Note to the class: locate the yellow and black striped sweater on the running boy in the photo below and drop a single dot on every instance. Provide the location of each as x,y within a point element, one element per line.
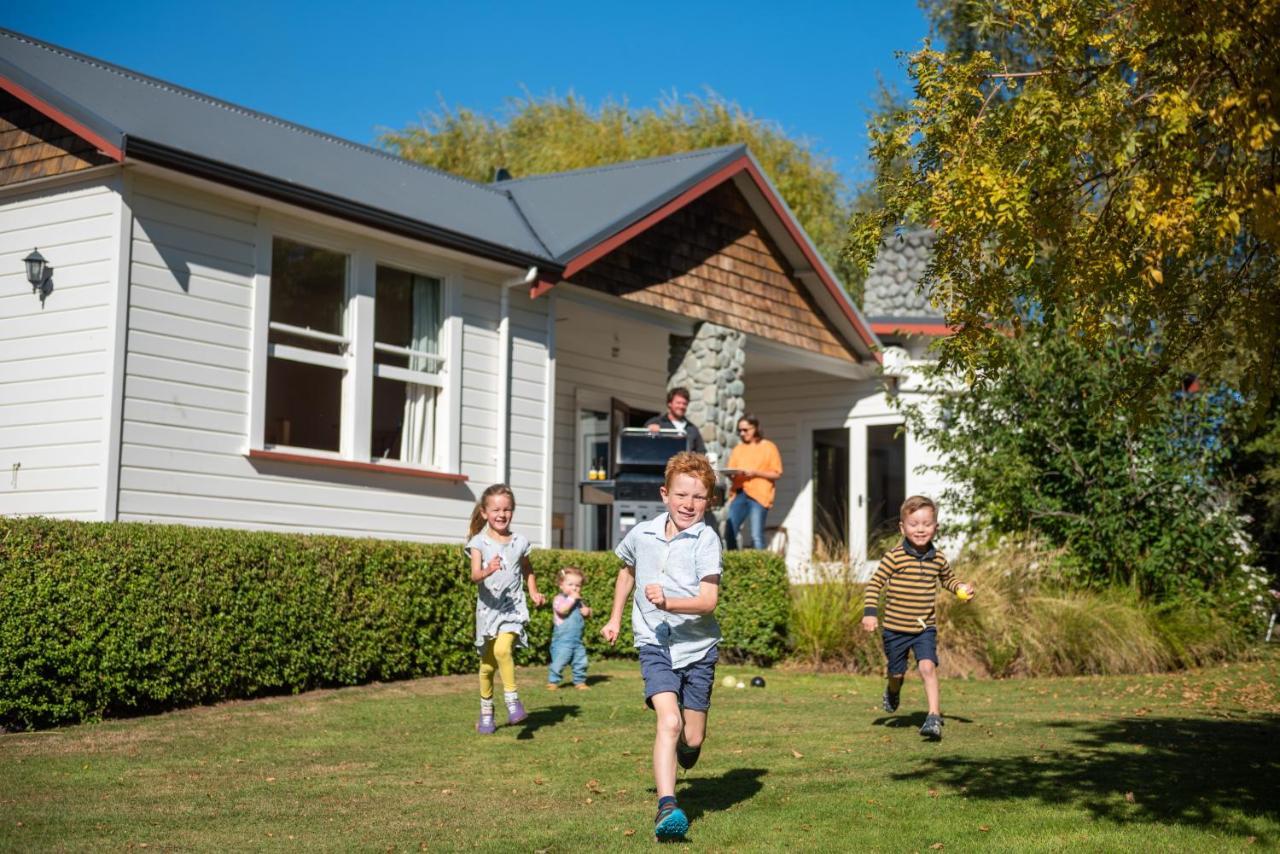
<point>911,584</point>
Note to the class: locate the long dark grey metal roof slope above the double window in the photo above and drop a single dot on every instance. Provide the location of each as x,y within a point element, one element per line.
<point>157,121</point>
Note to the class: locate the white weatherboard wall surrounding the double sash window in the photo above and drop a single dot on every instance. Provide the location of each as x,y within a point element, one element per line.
<point>188,395</point>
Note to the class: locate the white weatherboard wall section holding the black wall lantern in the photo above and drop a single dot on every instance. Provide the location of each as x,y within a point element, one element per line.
<point>56,359</point>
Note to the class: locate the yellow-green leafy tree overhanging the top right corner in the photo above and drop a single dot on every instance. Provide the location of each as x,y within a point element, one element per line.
<point>1109,165</point>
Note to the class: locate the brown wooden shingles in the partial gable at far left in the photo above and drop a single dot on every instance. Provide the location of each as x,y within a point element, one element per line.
<point>33,147</point>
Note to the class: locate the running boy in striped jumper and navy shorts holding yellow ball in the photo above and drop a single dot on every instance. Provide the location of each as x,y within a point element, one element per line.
<point>909,577</point>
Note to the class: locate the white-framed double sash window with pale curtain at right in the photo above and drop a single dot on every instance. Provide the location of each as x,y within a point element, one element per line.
<point>316,366</point>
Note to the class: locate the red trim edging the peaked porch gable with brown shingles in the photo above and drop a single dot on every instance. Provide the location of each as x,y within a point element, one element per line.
<point>697,191</point>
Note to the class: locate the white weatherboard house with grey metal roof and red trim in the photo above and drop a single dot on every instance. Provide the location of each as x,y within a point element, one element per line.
<point>253,325</point>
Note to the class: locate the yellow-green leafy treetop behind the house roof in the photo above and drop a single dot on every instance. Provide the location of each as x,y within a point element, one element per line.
<point>560,134</point>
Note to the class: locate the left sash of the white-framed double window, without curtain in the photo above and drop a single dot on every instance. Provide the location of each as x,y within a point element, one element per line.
<point>307,348</point>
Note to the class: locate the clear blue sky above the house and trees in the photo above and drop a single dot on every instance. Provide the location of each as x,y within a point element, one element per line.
<point>354,68</point>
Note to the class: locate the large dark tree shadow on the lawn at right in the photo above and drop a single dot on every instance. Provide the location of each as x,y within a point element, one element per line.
<point>1178,770</point>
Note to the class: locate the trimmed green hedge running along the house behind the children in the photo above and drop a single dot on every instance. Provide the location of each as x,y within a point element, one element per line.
<point>116,619</point>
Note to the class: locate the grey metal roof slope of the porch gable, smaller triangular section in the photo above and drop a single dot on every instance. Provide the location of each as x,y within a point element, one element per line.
<point>575,211</point>
